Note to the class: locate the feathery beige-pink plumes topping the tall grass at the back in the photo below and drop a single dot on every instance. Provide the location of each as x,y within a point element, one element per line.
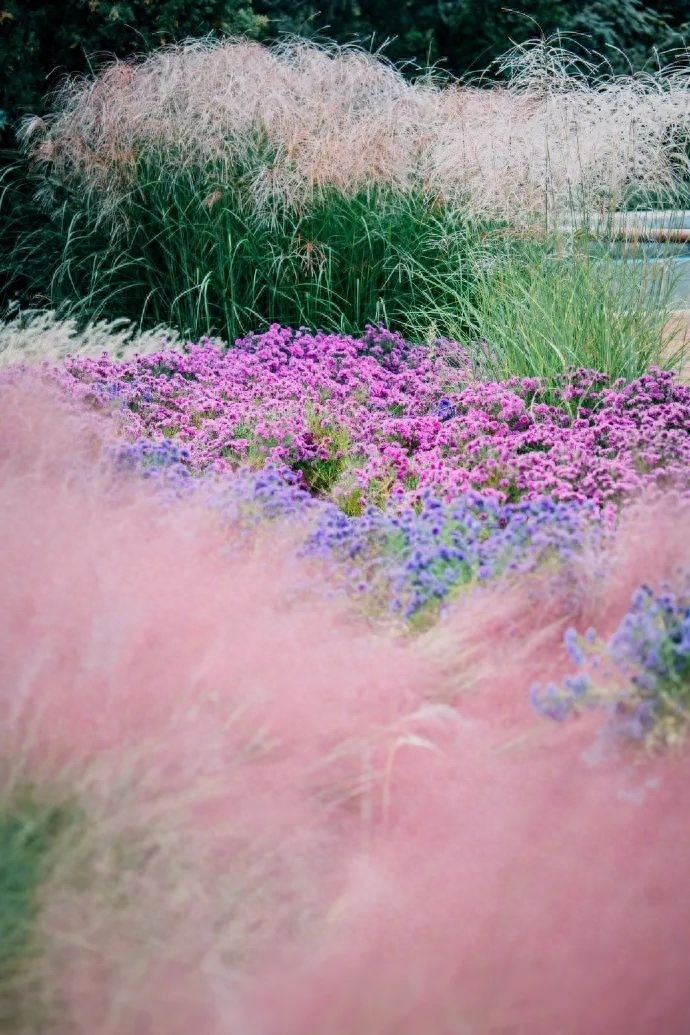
<point>301,117</point>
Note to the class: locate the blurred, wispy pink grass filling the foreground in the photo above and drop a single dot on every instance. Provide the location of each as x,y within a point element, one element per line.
<point>298,824</point>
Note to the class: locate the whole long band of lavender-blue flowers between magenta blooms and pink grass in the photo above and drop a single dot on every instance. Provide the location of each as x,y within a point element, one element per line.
<point>409,560</point>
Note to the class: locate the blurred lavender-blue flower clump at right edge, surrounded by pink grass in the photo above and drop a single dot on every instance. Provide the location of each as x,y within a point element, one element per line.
<point>641,676</point>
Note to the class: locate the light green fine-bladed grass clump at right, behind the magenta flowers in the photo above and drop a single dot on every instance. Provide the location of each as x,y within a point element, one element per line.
<point>534,313</point>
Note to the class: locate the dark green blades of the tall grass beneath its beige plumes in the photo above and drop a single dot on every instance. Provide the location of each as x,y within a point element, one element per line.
<point>189,247</point>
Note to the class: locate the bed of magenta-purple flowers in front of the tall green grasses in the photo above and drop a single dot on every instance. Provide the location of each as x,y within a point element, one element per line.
<point>372,420</point>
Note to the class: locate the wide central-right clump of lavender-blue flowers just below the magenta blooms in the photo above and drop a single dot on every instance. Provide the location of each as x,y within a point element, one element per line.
<point>416,558</point>
